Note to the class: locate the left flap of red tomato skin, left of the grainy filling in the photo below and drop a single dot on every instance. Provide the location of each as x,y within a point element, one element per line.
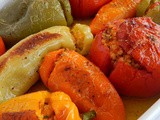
<point>99,54</point>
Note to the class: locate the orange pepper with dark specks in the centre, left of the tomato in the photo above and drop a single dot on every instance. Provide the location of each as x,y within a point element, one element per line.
<point>89,89</point>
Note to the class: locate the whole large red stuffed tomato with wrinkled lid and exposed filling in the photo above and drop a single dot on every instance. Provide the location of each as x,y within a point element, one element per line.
<point>128,51</point>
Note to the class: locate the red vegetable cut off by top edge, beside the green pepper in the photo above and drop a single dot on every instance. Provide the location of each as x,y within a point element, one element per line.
<point>86,8</point>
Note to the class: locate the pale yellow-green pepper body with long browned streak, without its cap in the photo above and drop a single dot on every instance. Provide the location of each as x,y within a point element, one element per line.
<point>19,65</point>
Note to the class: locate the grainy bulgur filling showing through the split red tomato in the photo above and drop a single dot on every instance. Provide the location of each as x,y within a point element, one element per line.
<point>116,51</point>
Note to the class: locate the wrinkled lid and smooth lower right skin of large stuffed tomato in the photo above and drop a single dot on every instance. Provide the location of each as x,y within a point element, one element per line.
<point>139,38</point>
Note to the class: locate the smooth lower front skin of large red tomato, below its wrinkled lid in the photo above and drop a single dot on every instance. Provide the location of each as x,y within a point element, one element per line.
<point>133,82</point>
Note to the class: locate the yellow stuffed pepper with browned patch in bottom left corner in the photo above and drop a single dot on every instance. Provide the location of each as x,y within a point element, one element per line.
<point>40,105</point>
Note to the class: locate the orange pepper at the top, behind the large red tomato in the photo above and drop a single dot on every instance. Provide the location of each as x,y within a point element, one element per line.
<point>116,9</point>
